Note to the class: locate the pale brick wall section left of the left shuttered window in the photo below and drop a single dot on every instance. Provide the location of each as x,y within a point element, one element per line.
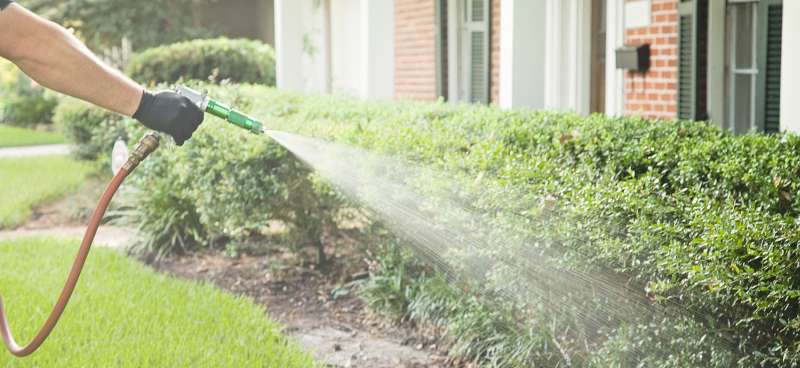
<point>415,49</point>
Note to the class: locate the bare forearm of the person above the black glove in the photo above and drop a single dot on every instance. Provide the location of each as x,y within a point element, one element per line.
<point>57,60</point>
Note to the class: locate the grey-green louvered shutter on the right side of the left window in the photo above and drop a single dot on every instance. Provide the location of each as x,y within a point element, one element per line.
<point>477,39</point>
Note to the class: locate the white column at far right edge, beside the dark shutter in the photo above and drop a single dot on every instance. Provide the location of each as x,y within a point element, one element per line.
<point>790,74</point>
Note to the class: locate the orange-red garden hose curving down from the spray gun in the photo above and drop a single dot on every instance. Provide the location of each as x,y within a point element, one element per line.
<point>147,145</point>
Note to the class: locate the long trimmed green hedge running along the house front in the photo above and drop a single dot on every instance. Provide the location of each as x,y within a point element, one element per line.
<point>697,216</point>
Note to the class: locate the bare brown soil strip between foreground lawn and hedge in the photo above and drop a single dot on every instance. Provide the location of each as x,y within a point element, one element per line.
<point>322,315</point>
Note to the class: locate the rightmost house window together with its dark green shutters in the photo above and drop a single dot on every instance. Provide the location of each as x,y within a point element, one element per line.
<point>752,53</point>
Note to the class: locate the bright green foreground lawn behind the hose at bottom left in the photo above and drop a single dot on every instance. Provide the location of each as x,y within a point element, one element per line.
<point>123,314</point>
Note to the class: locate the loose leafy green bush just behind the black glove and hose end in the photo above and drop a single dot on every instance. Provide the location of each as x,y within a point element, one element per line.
<point>224,185</point>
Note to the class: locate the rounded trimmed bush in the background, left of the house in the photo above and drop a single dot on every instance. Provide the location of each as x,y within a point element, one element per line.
<point>239,61</point>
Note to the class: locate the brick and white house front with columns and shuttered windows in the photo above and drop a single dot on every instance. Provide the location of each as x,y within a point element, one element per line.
<point>726,61</point>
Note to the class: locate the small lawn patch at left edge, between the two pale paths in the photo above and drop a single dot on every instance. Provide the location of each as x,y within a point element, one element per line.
<point>26,182</point>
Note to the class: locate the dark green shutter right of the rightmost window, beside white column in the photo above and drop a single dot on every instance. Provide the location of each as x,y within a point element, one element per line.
<point>772,67</point>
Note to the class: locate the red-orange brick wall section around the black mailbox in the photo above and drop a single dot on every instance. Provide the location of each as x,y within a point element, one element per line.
<point>654,94</point>
